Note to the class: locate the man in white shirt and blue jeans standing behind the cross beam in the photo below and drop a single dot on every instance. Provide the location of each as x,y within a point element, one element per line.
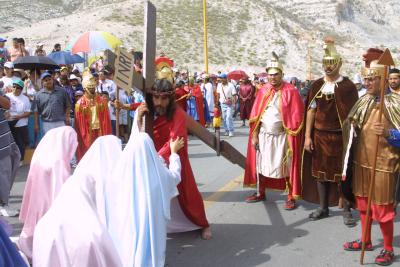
<point>227,98</point>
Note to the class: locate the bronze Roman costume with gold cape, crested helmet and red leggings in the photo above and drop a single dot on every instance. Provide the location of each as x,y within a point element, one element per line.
<point>360,141</point>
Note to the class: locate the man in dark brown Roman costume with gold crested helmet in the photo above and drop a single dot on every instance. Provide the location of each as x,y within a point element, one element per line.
<point>328,104</point>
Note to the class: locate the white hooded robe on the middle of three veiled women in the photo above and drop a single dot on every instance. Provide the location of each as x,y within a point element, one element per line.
<point>73,232</point>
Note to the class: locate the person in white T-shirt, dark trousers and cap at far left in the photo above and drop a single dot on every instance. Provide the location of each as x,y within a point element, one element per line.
<point>17,116</point>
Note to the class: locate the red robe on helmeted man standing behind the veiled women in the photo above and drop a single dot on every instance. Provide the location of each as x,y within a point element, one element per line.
<point>83,116</point>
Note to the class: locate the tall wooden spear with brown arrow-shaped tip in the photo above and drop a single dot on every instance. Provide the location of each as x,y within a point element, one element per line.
<point>386,60</point>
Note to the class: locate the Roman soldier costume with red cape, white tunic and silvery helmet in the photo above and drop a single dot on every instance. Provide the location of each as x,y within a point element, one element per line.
<point>277,119</point>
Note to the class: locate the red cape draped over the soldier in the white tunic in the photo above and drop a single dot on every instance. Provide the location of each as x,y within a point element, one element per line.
<point>292,108</point>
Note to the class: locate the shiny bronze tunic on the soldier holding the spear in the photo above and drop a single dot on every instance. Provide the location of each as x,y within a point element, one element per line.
<point>386,165</point>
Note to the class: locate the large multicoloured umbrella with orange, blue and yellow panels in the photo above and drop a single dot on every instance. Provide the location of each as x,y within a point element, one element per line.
<point>94,41</point>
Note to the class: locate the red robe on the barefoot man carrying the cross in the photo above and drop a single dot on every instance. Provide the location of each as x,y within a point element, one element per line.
<point>189,197</point>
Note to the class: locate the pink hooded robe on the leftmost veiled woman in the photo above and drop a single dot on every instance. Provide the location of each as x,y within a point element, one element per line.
<point>49,169</point>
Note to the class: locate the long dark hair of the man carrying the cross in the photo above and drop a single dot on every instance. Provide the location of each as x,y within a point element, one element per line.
<point>162,86</point>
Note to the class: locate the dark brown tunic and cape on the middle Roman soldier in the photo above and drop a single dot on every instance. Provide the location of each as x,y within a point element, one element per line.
<point>325,161</point>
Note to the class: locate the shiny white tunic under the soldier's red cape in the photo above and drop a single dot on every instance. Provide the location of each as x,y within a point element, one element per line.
<point>273,161</point>
